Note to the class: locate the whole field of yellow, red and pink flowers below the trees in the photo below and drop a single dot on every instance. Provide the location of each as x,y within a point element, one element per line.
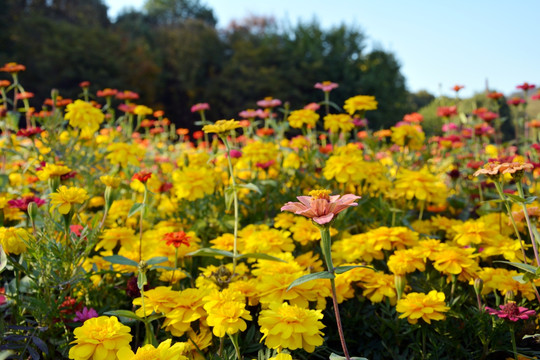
<point>284,234</point>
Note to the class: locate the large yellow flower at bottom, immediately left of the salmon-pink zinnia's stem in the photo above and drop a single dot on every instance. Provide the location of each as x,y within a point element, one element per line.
<point>291,327</point>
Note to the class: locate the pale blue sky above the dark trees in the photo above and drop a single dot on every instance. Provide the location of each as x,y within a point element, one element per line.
<point>438,43</point>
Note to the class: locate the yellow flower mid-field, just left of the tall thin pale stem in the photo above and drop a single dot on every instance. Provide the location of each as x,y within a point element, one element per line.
<point>194,182</point>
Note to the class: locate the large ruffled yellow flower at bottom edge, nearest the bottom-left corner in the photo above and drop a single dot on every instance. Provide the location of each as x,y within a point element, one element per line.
<point>100,338</point>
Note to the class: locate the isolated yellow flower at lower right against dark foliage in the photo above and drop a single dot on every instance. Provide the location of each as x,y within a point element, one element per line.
<point>427,307</point>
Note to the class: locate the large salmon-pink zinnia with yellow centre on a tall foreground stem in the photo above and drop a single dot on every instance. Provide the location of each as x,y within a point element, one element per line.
<point>320,206</point>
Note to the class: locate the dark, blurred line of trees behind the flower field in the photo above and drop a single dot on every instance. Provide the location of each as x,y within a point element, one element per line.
<point>174,56</point>
